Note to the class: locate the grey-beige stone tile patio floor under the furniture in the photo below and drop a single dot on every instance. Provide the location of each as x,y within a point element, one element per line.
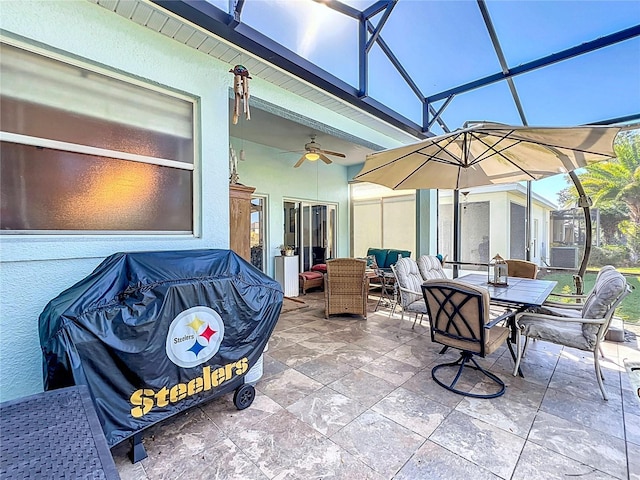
<point>346,398</point>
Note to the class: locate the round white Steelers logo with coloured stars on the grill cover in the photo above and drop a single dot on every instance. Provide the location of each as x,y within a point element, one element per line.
<point>194,336</point>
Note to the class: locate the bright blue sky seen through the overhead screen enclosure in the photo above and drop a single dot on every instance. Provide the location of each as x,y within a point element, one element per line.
<point>444,43</point>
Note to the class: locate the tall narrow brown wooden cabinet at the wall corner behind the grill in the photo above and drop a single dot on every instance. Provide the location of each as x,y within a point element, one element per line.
<point>240,220</point>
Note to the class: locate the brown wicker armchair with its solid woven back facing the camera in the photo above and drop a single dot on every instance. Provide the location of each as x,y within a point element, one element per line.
<point>346,287</point>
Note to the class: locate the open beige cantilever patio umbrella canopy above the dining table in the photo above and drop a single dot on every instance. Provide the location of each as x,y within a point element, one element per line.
<point>488,153</point>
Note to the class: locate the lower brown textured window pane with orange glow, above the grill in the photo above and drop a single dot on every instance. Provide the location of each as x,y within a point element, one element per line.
<point>44,189</point>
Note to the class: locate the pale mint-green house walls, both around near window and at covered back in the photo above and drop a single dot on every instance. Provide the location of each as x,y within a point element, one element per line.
<point>34,269</point>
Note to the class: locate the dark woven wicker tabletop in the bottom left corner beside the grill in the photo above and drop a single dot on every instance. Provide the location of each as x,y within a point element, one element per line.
<point>54,434</point>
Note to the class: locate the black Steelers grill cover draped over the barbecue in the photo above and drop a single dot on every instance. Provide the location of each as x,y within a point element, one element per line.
<point>154,333</point>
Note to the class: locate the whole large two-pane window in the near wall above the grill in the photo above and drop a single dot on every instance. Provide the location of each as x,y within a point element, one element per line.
<point>86,151</point>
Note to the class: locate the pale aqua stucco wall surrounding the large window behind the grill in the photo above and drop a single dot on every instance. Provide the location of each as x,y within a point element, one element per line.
<point>35,269</point>
